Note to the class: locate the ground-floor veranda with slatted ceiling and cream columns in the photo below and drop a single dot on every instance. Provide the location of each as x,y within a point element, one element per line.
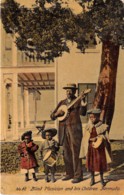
<point>23,81</point>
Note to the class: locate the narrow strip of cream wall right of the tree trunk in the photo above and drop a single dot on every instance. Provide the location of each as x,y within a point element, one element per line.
<point>117,129</point>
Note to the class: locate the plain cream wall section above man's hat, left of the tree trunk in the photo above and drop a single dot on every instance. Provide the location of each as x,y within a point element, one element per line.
<point>75,67</point>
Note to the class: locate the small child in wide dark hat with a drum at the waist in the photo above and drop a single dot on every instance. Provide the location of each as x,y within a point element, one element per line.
<point>49,146</point>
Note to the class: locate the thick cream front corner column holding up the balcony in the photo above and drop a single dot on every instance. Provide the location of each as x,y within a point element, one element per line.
<point>15,107</point>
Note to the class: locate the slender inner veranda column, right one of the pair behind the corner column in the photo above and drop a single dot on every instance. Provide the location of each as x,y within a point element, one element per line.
<point>26,105</point>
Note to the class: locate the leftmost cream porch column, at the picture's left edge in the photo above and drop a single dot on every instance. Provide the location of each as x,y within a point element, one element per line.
<point>3,109</point>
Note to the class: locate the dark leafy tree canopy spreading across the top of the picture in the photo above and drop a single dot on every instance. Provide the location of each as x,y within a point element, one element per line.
<point>45,32</point>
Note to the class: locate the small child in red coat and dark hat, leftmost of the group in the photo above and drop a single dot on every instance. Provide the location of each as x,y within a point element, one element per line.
<point>27,151</point>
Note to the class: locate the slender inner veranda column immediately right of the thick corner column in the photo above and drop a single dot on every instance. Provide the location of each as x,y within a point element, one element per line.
<point>22,107</point>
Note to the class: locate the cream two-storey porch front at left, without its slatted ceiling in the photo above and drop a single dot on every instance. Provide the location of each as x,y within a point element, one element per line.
<point>12,63</point>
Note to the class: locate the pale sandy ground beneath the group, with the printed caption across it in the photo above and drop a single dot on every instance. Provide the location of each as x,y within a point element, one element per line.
<point>114,178</point>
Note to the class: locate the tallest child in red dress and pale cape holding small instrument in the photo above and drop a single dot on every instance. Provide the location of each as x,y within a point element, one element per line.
<point>96,146</point>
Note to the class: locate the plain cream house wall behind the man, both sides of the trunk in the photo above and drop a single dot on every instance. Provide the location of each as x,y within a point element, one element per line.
<point>75,67</point>
